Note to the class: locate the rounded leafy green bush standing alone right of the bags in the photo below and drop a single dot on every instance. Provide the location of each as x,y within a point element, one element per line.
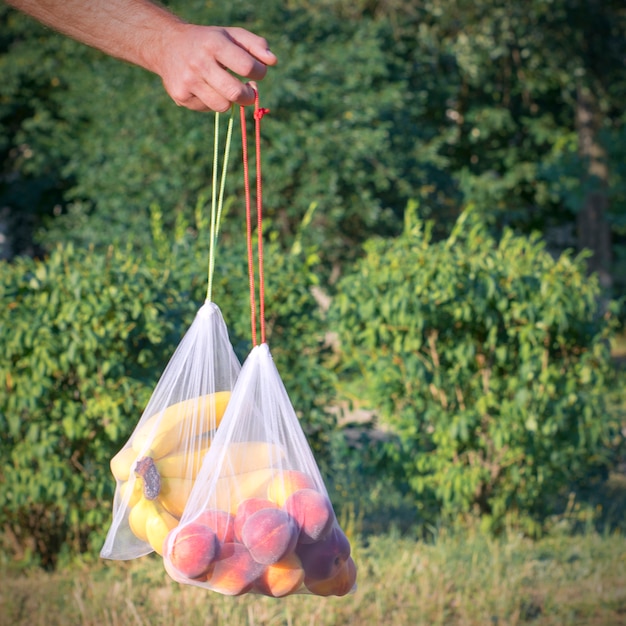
<point>490,362</point>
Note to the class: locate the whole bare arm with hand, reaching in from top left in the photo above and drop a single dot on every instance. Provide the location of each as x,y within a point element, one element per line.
<point>192,60</point>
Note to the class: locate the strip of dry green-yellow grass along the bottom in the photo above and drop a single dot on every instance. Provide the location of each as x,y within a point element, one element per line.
<point>459,580</point>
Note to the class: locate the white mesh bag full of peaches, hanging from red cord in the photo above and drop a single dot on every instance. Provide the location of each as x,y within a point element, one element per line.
<point>259,519</point>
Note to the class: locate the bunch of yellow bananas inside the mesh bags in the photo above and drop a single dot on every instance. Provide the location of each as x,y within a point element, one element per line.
<point>156,471</point>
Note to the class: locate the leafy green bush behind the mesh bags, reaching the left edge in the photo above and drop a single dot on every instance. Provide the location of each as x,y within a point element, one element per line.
<point>85,337</point>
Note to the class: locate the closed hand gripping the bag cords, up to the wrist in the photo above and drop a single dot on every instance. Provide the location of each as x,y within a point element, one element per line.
<point>194,63</point>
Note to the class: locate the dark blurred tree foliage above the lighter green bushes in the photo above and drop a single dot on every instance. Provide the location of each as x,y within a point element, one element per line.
<point>373,104</point>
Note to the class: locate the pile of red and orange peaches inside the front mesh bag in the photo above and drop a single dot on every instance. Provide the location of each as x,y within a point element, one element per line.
<point>285,540</point>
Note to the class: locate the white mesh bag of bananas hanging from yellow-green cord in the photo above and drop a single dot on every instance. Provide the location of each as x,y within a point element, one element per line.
<point>156,469</point>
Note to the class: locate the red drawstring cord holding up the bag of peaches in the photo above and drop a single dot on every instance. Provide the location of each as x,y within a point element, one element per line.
<point>258,115</point>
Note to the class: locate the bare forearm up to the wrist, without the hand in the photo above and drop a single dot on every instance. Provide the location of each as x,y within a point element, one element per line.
<point>133,30</point>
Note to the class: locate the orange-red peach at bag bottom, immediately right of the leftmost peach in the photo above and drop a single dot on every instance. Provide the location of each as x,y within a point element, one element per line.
<point>234,571</point>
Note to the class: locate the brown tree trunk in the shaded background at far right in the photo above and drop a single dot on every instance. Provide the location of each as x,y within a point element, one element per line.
<point>593,229</point>
